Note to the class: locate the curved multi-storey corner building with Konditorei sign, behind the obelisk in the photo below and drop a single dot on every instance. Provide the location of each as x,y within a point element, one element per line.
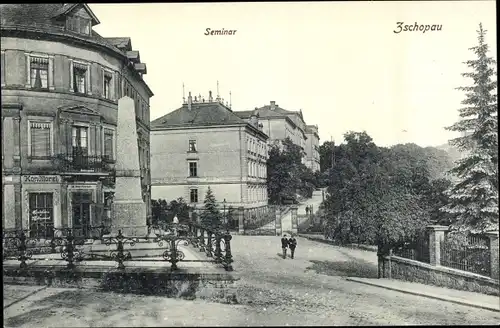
<point>60,85</point>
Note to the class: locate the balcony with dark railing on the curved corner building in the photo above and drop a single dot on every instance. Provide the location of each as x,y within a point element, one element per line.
<point>83,164</point>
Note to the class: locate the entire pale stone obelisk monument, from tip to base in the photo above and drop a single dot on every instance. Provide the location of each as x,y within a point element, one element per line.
<point>129,209</point>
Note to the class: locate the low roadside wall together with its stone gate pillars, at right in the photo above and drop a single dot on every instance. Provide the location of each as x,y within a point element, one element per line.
<point>438,272</point>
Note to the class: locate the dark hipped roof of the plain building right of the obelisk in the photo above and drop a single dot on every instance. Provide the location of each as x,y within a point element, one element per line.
<point>200,114</point>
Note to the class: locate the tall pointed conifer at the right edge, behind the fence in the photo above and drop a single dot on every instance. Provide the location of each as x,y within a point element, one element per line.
<point>474,196</point>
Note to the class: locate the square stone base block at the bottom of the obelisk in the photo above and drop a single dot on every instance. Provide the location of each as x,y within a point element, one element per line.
<point>129,217</point>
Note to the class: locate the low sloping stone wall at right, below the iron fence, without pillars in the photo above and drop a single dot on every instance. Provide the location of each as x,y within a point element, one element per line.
<point>395,267</point>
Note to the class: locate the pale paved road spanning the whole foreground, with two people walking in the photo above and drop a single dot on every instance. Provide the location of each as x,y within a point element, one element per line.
<point>308,290</point>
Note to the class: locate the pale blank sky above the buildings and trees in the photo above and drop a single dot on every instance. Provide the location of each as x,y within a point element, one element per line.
<point>339,62</point>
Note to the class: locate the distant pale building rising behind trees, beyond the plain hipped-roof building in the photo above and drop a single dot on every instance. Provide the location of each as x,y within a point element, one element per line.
<point>279,124</point>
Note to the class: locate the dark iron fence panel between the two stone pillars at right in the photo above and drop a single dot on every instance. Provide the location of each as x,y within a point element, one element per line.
<point>472,256</point>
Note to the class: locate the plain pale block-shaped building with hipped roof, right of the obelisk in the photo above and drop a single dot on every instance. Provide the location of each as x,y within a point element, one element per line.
<point>204,144</point>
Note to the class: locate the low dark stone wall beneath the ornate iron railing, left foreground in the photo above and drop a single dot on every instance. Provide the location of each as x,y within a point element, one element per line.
<point>212,286</point>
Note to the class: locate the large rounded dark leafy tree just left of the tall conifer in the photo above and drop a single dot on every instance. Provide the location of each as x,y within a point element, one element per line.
<point>380,195</point>
